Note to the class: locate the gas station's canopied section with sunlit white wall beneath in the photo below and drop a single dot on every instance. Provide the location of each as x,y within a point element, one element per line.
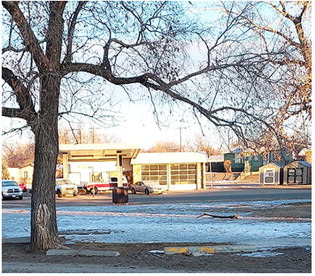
<point>87,163</point>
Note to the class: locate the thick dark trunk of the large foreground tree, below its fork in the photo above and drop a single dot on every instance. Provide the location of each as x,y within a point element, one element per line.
<point>44,231</point>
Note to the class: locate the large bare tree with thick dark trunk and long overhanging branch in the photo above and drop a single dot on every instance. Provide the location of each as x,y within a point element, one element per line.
<point>59,57</point>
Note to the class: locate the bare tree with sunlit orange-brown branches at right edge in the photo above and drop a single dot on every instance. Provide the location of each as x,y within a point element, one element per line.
<point>285,37</point>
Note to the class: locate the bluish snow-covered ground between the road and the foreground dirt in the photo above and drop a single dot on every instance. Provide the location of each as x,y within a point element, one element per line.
<point>169,223</point>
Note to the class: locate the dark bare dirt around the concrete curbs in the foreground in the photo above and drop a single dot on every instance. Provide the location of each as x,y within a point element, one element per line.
<point>137,257</point>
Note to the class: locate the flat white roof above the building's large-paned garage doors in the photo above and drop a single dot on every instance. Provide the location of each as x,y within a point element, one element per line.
<point>170,158</point>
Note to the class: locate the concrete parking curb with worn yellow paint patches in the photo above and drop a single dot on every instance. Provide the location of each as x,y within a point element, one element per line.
<point>210,249</point>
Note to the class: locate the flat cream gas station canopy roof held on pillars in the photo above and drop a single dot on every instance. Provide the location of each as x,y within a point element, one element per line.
<point>98,152</point>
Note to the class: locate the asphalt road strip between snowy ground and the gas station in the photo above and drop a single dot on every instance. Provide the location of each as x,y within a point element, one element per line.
<point>216,193</point>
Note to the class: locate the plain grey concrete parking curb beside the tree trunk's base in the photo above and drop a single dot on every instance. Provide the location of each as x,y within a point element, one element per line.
<point>85,253</point>
